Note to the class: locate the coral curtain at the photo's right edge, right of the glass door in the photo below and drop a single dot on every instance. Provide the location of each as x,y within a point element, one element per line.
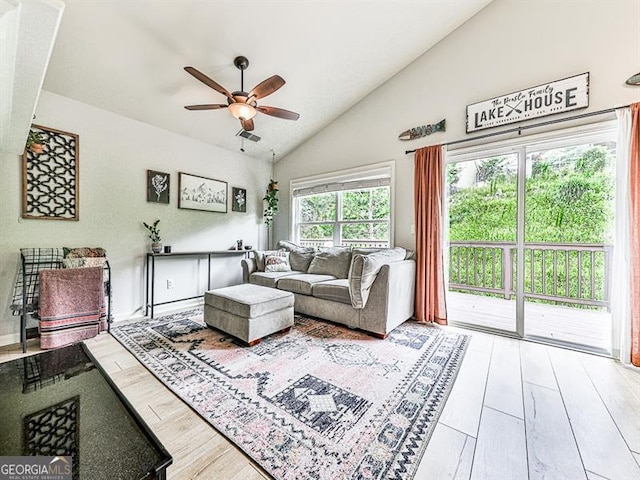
<point>634,232</point>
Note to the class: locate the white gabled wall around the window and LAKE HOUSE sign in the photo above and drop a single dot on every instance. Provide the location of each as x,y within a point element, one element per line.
<point>508,46</point>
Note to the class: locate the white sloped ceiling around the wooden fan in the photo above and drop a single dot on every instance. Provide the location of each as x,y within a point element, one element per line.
<point>128,57</point>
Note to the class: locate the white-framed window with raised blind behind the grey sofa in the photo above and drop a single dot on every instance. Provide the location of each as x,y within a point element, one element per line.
<point>344,210</point>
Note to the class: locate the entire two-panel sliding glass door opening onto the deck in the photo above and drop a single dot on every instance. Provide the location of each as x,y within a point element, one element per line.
<point>529,237</point>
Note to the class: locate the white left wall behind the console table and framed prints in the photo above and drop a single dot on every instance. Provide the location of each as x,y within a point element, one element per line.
<point>115,153</point>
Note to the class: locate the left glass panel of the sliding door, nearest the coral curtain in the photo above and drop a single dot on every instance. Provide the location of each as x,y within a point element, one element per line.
<point>483,200</point>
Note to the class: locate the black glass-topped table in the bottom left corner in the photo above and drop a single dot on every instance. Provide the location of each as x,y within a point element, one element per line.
<point>61,402</point>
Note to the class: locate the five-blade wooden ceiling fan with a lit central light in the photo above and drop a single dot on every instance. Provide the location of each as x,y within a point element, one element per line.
<point>243,105</point>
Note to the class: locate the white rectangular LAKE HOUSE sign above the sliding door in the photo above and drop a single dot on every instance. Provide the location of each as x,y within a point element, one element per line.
<point>550,98</point>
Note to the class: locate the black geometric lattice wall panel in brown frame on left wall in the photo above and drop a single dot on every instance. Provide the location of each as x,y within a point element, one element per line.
<point>50,179</point>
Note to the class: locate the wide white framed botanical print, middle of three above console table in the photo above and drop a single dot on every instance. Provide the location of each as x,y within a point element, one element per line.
<point>202,193</point>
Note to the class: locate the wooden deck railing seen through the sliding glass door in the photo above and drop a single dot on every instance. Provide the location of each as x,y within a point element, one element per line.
<point>564,273</point>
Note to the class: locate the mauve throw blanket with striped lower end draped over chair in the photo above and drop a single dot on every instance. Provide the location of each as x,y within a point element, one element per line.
<point>71,305</point>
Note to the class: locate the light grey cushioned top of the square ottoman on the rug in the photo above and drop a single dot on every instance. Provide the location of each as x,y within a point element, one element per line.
<point>248,301</point>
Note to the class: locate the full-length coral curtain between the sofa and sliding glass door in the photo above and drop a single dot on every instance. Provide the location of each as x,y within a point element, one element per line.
<point>430,291</point>
